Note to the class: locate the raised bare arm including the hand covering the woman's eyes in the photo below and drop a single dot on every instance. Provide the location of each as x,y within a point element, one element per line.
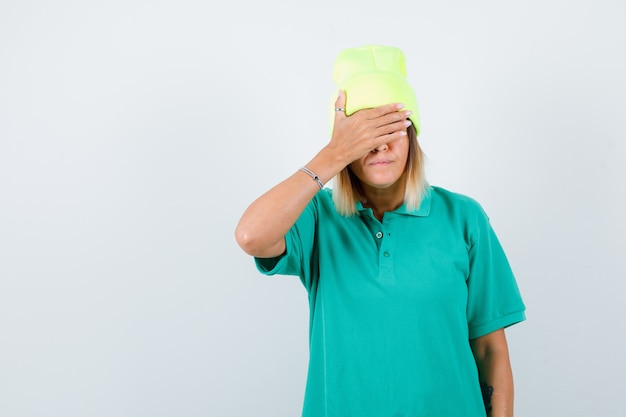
<point>262,228</point>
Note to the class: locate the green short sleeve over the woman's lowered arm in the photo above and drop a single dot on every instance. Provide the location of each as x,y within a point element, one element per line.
<point>494,299</point>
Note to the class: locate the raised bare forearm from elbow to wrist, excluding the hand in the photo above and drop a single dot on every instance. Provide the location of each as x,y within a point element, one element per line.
<point>262,228</point>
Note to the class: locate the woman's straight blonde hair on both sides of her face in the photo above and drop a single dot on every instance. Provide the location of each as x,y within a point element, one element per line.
<point>348,190</point>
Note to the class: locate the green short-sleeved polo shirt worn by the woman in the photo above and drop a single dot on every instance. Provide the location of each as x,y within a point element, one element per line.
<point>393,305</point>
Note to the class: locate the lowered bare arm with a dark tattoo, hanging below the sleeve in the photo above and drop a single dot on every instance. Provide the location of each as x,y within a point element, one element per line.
<point>496,377</point>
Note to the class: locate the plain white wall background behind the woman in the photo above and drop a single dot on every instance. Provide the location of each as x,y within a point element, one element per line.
<point>133,134</point>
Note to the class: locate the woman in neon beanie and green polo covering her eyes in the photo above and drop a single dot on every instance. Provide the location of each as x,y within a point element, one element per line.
<point>409,289</point>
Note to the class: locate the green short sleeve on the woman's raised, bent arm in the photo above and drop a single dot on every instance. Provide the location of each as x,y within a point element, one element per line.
<point>300,256</point>
